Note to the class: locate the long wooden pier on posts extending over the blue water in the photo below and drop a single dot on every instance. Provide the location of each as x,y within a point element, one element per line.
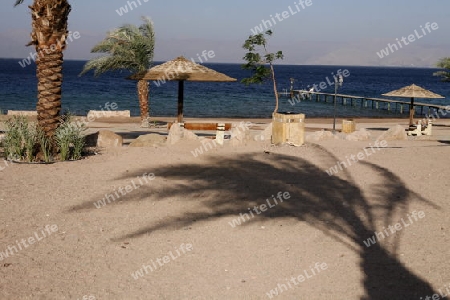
<point>363,102</point>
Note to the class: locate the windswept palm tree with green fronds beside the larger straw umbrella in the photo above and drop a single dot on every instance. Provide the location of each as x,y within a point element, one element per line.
<point>131,48</point>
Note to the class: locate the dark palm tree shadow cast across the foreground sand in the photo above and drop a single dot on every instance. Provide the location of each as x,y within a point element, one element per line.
<point>333,204</point>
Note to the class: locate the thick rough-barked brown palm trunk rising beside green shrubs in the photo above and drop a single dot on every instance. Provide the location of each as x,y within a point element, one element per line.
<point>49,33</point>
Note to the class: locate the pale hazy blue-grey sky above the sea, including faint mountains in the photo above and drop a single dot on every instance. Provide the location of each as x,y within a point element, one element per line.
<point>346,32</point>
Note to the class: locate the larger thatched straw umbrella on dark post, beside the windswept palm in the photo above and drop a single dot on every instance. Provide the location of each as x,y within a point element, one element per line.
<point>181,70</point>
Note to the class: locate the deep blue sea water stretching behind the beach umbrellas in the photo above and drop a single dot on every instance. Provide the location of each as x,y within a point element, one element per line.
<point>207,99</point>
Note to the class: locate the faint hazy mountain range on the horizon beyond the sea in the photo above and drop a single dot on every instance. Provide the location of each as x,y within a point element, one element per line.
<point>297,52</point>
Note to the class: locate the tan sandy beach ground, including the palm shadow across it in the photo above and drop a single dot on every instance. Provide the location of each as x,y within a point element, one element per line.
<point>172,230</point>
